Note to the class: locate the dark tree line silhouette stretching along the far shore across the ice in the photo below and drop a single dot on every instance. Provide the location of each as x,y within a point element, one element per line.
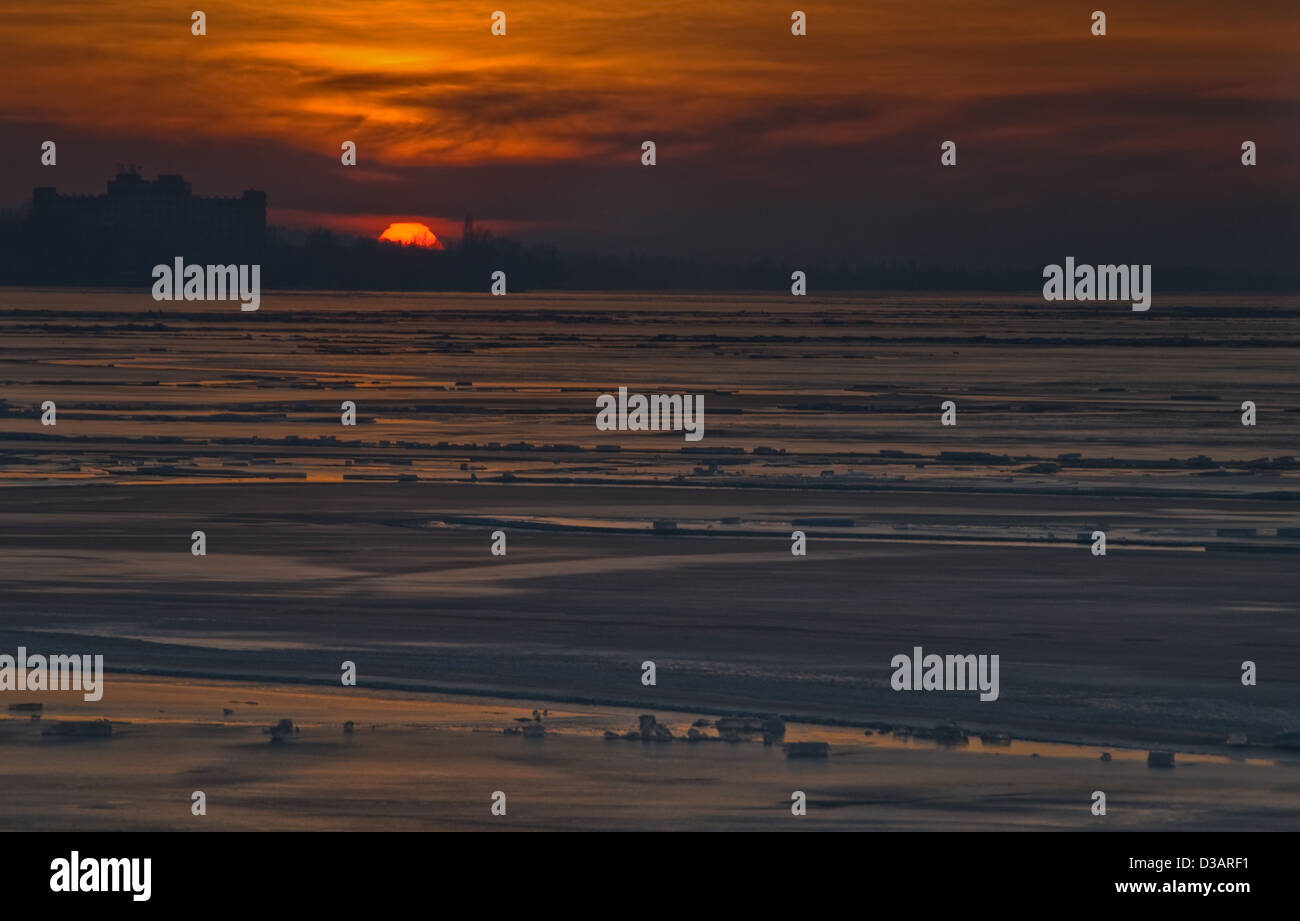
<point>331,261</point>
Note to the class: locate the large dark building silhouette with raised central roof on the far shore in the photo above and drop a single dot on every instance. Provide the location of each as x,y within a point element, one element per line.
<point>120,236</point>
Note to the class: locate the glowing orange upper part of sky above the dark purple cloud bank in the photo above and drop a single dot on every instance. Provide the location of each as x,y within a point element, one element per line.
<point>426,83</point>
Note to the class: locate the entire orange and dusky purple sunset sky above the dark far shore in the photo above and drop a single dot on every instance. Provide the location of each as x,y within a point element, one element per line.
<point>1125,148</point>
